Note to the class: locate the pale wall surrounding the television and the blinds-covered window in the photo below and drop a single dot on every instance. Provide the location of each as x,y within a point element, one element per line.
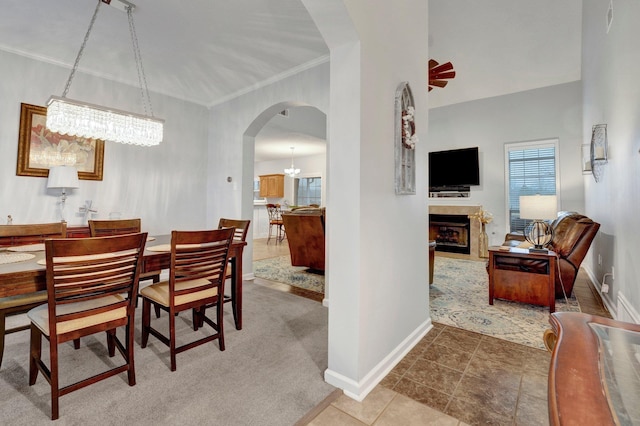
<point>549,112</point>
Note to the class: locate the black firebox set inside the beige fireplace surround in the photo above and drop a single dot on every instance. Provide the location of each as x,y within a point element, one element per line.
<point>450,232</point>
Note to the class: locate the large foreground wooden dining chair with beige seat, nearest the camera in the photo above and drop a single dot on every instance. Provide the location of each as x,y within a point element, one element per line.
<point>91,288</point>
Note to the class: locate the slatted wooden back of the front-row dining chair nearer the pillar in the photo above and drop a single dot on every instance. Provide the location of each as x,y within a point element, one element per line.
<point>199,258</point>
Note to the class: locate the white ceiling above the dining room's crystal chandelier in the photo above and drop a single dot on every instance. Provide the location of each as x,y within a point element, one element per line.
<point>203,51</point>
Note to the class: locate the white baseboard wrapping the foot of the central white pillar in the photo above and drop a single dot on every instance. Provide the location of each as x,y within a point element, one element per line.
<point>358,390</point>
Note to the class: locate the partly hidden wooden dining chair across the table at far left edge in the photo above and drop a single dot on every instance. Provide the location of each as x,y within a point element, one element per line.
<point>18,235</point>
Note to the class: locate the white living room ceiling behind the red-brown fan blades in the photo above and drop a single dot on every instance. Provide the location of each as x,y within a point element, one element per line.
<point>499,47</point>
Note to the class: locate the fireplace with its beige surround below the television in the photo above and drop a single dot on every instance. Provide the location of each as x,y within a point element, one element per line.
<point>453,231</point>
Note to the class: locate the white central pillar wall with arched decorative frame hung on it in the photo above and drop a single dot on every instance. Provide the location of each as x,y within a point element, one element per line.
<point>377,263</point>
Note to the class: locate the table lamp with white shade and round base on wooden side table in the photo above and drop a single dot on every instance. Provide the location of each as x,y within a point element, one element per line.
<point>539,208</point>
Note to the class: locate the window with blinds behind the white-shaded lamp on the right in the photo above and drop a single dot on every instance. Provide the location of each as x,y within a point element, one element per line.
<point>531,168</point>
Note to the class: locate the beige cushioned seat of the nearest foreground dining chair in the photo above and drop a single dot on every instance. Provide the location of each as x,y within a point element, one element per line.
<point>40,314</point>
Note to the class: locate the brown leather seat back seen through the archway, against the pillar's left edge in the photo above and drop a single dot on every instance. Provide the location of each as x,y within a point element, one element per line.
<point>305,232</point>
